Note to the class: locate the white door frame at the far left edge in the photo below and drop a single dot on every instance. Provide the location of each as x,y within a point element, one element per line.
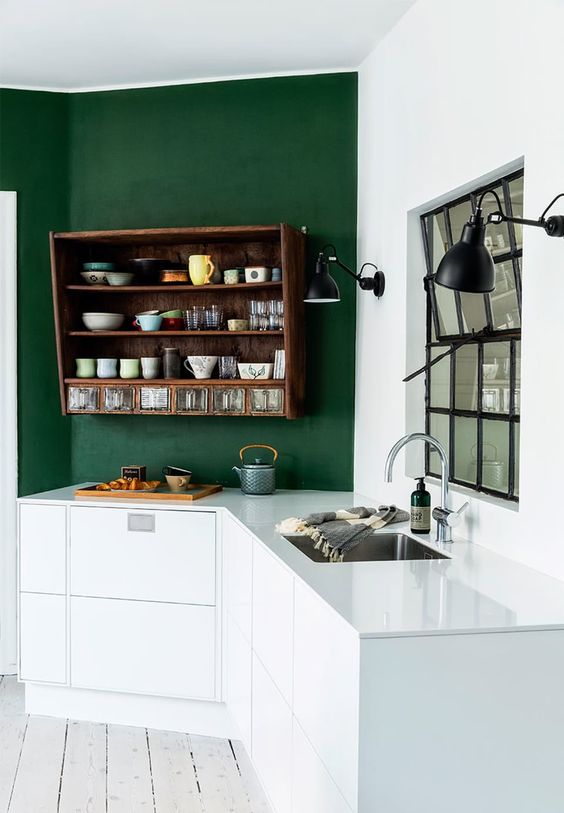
<point>8,432</point>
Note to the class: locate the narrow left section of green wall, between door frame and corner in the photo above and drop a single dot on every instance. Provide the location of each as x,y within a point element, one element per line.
<point>34,163</point>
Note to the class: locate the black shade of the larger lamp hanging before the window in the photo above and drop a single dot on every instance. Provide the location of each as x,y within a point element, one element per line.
<point>468,265</point>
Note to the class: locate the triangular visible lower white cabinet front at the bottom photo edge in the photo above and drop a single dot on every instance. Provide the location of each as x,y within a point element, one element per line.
<point>312,787</point>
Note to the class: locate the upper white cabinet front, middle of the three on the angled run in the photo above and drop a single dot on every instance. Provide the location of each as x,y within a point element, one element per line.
<point>273,614</point>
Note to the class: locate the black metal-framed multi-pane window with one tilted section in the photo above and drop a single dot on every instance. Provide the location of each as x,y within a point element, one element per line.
<point>472,397</point>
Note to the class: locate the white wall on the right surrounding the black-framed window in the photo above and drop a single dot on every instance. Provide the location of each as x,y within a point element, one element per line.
<point>453,93</point>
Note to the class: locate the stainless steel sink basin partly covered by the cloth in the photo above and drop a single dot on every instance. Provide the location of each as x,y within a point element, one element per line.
<point>377,548</point>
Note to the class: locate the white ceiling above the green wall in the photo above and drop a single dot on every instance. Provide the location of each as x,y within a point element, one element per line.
<point>80,45</point>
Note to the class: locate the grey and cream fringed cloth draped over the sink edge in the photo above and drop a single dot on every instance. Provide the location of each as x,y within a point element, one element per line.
<point>337,532</point>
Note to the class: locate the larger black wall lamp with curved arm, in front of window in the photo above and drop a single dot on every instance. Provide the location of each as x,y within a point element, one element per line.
<point>468,266</point>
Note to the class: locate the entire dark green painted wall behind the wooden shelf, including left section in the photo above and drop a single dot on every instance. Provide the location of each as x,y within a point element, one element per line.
<point>226,153</point>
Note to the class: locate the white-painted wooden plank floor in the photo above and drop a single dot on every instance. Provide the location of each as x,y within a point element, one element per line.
<point>50,765</point>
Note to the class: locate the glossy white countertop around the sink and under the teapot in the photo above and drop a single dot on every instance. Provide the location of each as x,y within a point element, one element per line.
<point>475,591</point>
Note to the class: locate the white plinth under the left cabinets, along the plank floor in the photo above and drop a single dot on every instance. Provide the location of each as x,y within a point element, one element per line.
<point>209,719</point>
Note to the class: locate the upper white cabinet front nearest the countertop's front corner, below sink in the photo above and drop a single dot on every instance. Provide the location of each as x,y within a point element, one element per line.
<point>326,687</point>
